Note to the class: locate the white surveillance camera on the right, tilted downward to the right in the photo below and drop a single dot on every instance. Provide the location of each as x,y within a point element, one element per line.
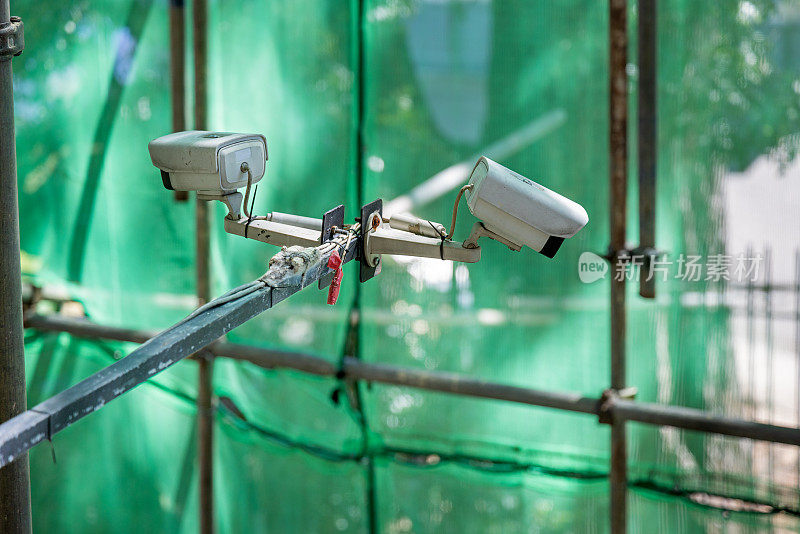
<point>518,211</point>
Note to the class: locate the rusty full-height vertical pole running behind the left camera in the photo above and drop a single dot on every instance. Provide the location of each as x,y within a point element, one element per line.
<point>205,420</point>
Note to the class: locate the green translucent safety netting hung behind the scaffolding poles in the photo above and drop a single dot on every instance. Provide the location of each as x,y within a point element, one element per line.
<point>442,81</point>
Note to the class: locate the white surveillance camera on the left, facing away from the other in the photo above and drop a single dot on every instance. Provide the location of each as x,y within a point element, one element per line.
<point>215,164</point>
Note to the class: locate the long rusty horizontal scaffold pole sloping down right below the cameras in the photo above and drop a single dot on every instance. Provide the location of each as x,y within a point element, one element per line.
<point>641,412</point>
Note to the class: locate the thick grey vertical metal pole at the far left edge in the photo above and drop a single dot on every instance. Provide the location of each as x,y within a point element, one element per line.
<point>15,493</point>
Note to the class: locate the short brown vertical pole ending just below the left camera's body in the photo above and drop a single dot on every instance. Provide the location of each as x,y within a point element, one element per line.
<point>177,72</point>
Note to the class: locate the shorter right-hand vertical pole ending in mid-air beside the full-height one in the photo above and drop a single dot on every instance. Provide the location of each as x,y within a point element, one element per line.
<point>647,145</point>
